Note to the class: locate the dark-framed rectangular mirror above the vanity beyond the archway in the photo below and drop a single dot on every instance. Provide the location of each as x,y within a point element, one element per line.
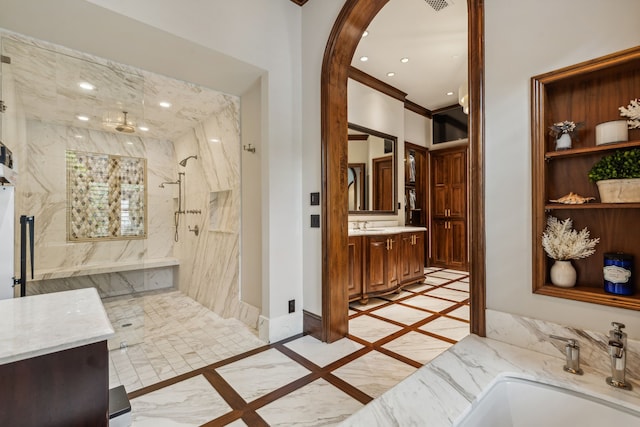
<point>371,171</point>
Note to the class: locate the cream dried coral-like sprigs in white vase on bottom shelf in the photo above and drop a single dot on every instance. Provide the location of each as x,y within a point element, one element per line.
<point>561,242</point>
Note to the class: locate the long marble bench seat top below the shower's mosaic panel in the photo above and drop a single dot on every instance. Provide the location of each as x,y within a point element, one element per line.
<point>102,268</point>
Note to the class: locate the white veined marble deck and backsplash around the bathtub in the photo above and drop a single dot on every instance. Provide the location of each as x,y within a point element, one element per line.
<point>443,390</point>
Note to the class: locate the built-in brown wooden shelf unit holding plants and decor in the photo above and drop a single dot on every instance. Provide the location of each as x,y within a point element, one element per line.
<point>589,92</point>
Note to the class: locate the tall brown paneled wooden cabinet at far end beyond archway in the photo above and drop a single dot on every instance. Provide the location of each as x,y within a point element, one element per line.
<point>448,208</point>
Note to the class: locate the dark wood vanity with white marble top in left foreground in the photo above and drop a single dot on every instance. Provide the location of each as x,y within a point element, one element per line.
<point>54,363</point>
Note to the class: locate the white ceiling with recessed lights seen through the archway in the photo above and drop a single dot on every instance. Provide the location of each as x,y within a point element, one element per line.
<point>434,42</point>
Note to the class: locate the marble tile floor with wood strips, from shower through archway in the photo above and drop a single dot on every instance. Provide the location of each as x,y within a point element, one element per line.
<point>193,368</point>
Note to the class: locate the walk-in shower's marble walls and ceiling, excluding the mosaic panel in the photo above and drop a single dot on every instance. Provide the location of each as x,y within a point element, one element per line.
<point>203,266</point>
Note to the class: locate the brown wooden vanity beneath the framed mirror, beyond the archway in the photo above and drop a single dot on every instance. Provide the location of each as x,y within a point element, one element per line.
<point>383,260</point>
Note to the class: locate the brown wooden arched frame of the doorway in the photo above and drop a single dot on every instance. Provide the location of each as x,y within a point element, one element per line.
<point>353,19</point>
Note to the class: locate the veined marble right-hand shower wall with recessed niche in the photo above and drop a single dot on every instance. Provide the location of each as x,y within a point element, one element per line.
<point>210,262</point>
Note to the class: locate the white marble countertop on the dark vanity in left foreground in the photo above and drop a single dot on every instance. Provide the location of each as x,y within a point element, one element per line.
<point>43,324</point>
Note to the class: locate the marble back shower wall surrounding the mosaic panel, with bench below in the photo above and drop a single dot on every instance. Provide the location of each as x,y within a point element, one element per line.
<point>42,192</point>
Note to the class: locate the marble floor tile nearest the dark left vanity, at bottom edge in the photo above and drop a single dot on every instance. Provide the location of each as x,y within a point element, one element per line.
<point>191,402</point>
